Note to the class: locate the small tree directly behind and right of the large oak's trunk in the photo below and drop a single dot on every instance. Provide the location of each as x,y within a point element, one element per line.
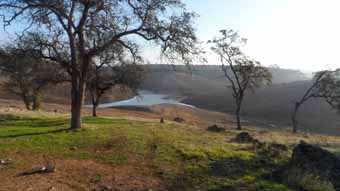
<point>113,68</point>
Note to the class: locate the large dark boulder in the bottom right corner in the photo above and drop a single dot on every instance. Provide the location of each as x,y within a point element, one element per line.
<point>317,161</point>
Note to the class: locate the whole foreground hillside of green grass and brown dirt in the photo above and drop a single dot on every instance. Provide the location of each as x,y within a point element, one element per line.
<point>119,154</point>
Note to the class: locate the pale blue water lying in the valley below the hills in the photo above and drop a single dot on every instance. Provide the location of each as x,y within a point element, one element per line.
<point>144,98</point>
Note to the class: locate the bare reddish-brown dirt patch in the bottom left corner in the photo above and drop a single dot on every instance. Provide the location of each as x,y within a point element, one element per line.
<point>75,174</point>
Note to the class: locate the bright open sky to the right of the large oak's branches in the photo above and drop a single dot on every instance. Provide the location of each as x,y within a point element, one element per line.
<point>296,34</point>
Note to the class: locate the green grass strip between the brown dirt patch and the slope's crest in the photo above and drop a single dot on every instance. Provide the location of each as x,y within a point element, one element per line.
<point>186,158</point>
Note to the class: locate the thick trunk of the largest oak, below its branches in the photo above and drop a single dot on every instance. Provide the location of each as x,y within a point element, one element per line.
<point>77,93</point>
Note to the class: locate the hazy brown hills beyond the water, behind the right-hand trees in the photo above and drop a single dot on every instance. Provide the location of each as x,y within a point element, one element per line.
<point>205,87</point>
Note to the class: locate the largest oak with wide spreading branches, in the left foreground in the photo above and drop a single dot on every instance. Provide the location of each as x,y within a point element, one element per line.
<point>62,29</point>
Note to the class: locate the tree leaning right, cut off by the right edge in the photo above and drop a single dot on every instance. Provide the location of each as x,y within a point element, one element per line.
<point>325,85</point>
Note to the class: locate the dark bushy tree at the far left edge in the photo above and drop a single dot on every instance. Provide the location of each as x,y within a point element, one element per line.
<point>28,76</point>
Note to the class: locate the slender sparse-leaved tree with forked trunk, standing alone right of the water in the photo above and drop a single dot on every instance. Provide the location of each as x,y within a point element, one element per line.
<point>241,72</point>
